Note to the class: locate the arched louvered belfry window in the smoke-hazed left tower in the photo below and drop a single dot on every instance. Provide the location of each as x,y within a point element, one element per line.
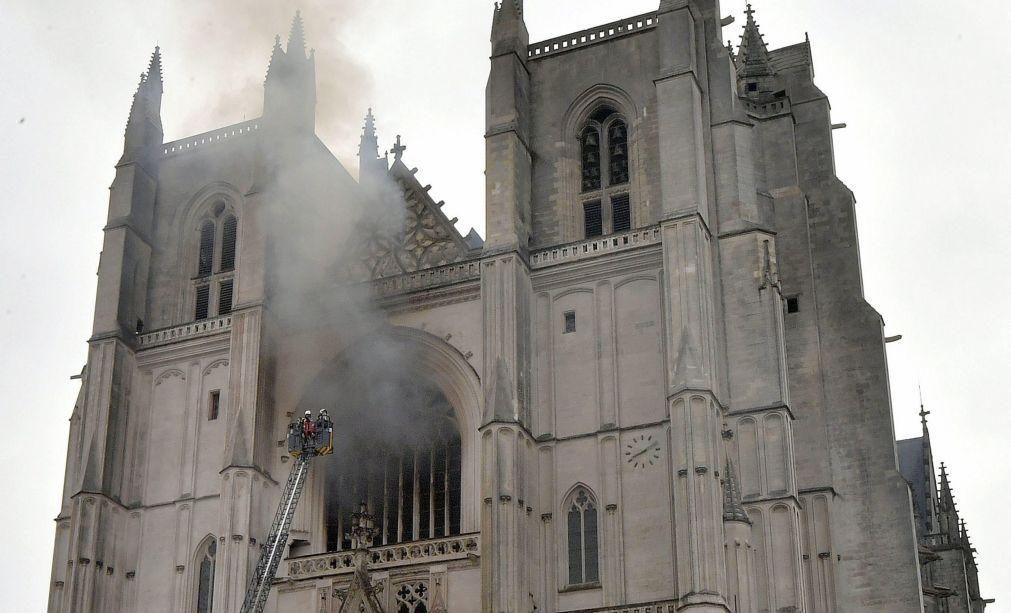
<point>214,286</point>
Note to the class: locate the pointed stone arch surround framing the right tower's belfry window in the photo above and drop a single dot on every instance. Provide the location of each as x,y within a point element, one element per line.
<point>574,122</point>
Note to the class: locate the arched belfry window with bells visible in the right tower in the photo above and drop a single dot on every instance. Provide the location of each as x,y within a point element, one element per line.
<point>604,149</point>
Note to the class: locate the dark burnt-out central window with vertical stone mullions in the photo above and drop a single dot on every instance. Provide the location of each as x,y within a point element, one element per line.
<point>415,494</point>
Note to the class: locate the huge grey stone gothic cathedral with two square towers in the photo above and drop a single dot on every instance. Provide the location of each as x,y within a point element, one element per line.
<point>655,386</point>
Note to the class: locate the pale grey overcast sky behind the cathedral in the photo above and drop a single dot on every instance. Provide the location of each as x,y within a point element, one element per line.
<point>924,86</point>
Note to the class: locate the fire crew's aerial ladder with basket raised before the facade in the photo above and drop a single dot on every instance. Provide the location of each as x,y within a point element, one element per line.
<point>308,439</point>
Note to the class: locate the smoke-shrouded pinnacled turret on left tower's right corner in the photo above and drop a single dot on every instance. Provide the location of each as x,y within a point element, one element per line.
<point>290,91</point>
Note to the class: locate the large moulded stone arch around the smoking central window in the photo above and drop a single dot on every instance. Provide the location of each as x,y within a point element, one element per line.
<point>437,363</point>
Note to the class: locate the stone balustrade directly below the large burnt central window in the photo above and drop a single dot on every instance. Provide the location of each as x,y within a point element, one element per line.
<point>438,551</point>
